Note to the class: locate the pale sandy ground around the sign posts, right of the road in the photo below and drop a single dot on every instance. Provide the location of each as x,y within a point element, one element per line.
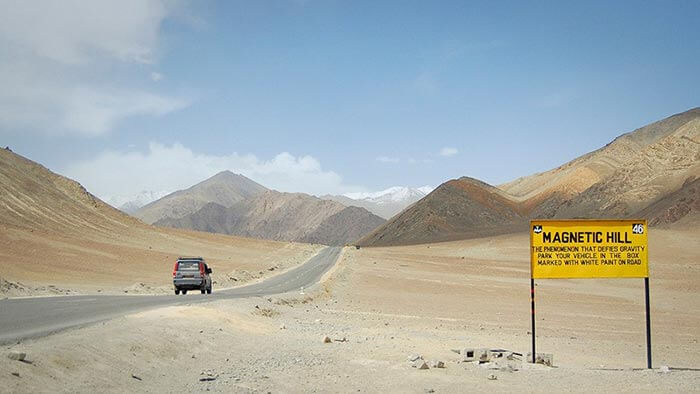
<point>390,303</point>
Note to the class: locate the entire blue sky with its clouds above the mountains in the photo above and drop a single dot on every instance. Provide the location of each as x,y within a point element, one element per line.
<point>335,96</point>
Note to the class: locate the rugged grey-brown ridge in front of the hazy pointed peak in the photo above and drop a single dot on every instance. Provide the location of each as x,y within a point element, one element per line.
<point>282,216</point>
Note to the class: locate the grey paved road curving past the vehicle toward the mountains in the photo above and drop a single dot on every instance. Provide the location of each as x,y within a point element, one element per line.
<point>39,316</point>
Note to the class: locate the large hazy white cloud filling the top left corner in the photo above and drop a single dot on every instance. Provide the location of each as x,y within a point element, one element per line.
<point>65,65</point>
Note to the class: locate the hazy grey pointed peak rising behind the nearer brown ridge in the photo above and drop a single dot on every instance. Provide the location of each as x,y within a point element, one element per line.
<point>224,188</point>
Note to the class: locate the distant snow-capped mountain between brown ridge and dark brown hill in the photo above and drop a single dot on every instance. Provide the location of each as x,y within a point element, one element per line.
<point>385,203</point>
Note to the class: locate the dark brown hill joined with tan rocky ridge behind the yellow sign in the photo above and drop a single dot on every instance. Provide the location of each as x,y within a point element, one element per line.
<point>649,172</point>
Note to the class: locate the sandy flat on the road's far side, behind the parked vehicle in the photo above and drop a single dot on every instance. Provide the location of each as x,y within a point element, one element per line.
<point>139,260</point>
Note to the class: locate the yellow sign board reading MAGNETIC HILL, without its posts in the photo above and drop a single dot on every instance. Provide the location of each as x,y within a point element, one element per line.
<point>588,249</point>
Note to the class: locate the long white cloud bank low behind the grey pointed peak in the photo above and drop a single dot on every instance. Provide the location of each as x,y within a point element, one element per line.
<point>170,168</point>
